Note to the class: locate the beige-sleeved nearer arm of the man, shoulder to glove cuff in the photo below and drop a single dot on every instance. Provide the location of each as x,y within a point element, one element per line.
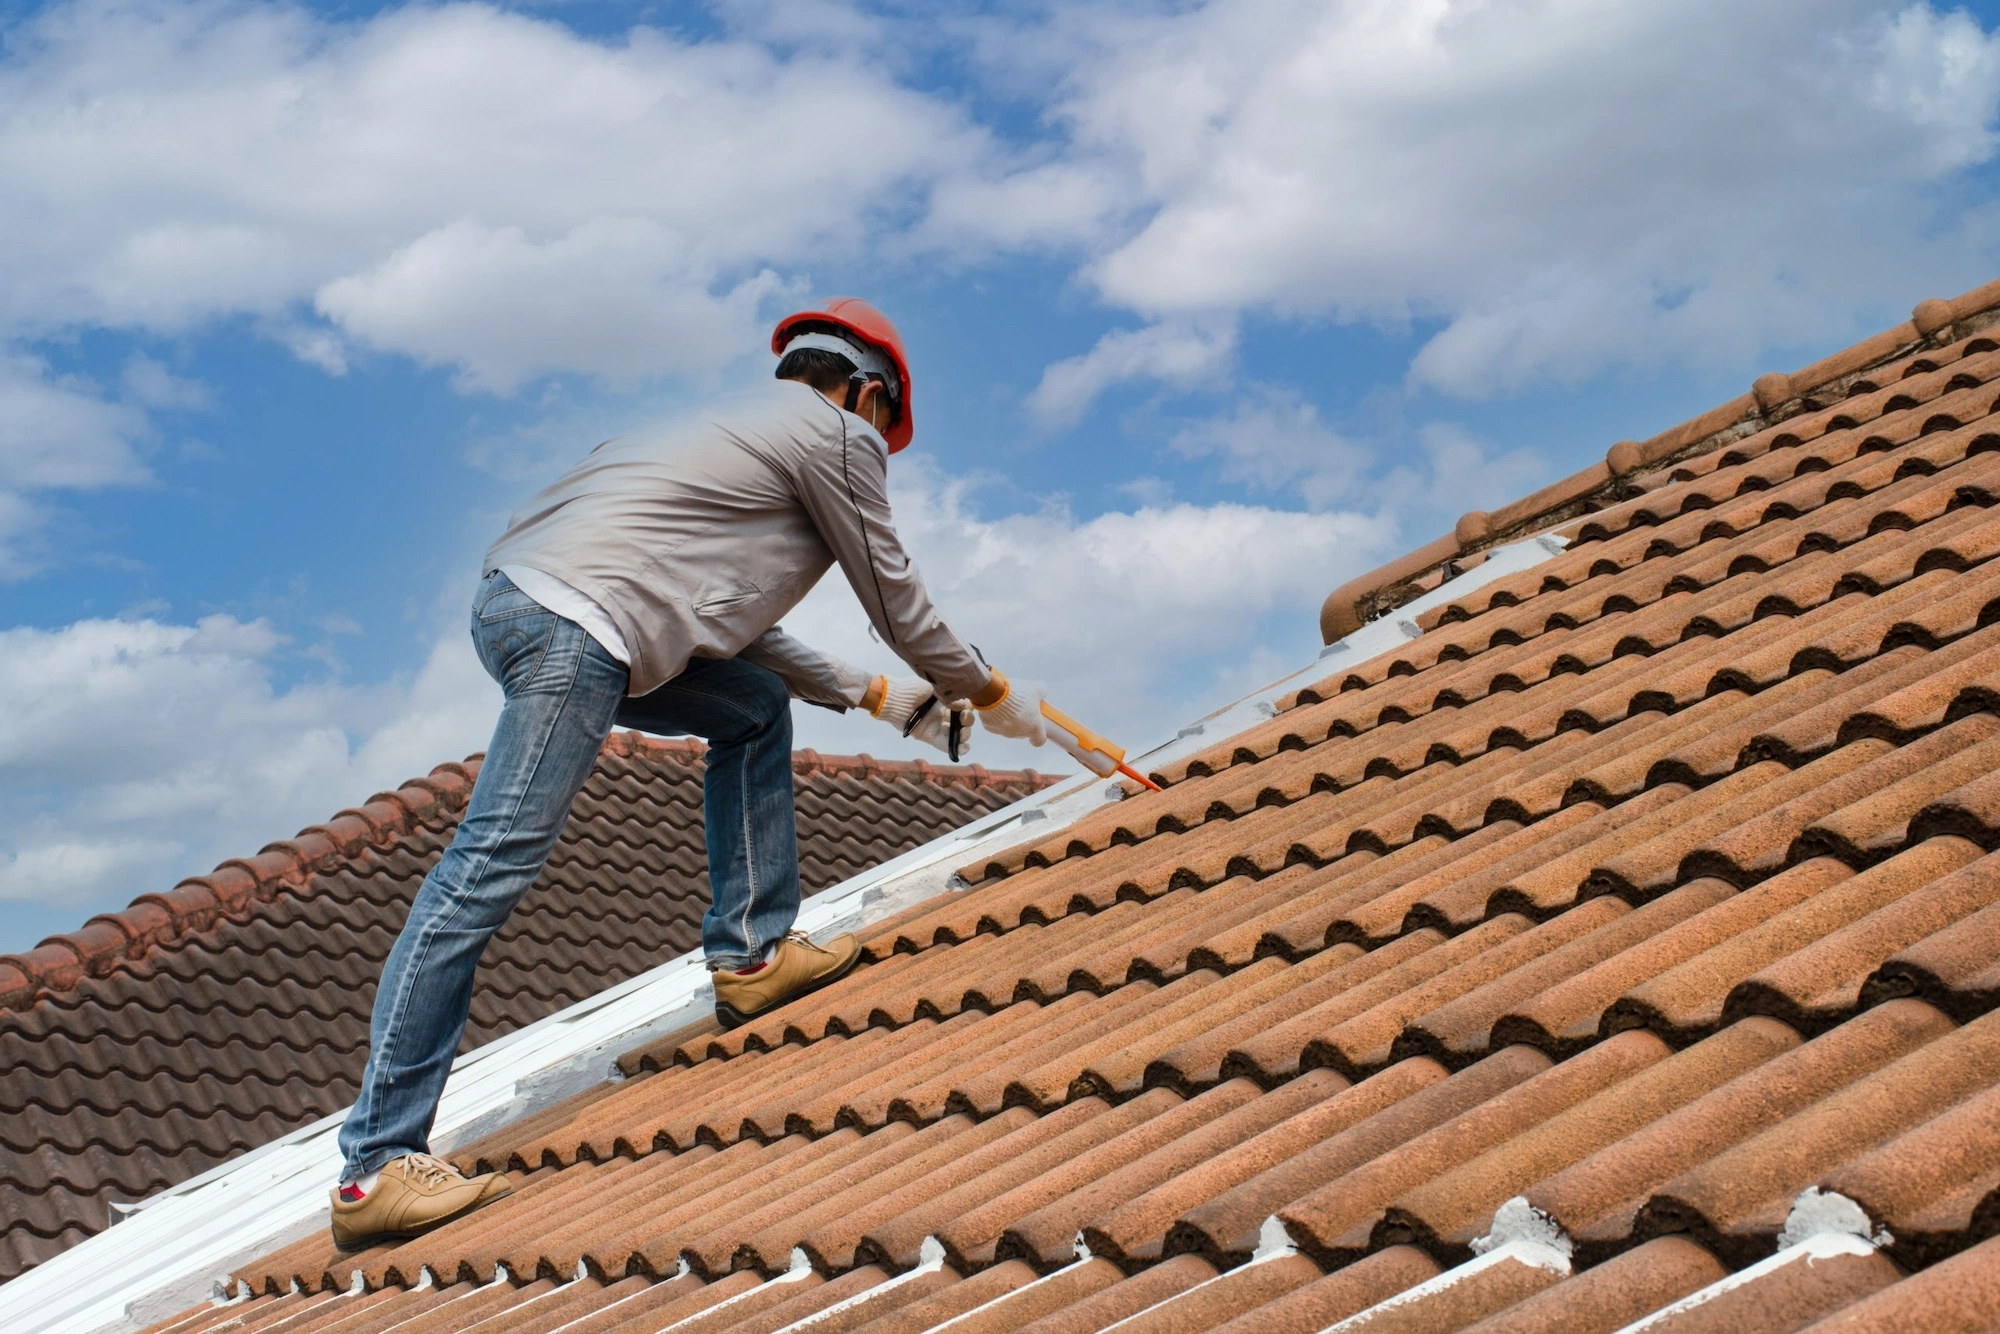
<point>845,489</point>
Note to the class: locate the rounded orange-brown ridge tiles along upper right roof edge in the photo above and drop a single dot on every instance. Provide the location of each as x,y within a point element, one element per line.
<point>1773,399</point>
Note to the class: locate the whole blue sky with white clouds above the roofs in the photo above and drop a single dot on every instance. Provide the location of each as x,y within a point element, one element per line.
<point>1213,305</point>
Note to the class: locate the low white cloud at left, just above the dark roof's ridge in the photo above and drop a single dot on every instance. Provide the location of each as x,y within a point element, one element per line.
<point>199,751</point>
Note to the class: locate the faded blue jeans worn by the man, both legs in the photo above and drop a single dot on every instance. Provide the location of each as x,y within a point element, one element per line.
<point>563,695</point>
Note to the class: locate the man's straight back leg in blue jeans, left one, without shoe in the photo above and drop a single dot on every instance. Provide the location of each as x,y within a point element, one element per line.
<point>561,695</point>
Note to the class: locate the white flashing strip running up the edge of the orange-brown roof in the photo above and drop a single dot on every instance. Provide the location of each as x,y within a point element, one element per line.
<point>181,1245</point>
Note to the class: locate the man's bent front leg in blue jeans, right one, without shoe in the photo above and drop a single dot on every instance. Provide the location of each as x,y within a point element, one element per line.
<point>745,715</point>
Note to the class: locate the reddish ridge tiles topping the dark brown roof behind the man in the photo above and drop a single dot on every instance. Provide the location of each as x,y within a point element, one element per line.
<point>197,903</point>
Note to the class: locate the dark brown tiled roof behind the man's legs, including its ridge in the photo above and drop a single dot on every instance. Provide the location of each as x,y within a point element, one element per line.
<point>153,1047</point>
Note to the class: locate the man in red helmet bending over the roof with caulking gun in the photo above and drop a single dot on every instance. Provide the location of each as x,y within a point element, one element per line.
<point>645,589</point>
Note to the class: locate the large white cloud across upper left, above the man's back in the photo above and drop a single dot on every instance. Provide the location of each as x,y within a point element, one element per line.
<point>459,183</point>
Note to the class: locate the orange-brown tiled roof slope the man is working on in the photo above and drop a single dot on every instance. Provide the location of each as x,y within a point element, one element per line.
<point>1617,951</point>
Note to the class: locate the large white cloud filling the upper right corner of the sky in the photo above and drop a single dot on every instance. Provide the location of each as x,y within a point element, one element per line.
<point>1565,185</point>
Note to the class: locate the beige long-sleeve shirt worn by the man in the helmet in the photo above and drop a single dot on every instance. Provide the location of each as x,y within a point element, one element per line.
<point>701,539</point>
